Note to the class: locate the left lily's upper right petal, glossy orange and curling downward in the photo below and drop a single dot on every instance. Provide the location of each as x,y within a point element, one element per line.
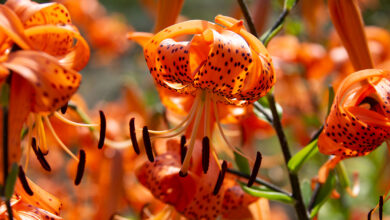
<point>64,42</point>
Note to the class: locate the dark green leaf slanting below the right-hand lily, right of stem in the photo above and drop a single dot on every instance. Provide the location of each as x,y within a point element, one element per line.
<point>323,194</point>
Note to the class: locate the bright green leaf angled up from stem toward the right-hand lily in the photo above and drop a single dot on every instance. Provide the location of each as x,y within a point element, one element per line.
<point>296,162</point>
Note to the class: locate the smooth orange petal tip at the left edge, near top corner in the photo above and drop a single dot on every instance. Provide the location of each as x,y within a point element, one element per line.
<point>11,26</point>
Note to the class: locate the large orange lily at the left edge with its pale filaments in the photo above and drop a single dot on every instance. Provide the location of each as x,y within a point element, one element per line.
<point>40,59</point>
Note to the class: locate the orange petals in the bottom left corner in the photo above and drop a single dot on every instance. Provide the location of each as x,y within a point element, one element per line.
<point>40,205</point>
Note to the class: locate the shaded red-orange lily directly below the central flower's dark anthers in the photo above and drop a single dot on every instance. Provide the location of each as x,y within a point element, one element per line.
<point>192,196</point>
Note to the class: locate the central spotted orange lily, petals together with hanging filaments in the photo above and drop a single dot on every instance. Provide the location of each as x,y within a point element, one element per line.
<point>220,68</point>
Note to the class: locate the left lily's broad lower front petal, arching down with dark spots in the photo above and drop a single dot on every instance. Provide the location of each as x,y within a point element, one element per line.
<point>53,84</point>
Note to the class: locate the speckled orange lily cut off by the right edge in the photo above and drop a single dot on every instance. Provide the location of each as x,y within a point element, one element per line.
<point>359,120</point>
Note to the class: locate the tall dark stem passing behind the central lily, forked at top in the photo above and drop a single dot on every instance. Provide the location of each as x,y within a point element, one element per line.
<point>294,180</point>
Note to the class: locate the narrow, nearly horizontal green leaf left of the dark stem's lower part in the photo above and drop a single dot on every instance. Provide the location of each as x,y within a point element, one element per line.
<point>267,193</point>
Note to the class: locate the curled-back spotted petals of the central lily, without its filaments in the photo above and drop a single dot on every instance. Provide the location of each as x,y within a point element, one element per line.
<point>226,61</point>
